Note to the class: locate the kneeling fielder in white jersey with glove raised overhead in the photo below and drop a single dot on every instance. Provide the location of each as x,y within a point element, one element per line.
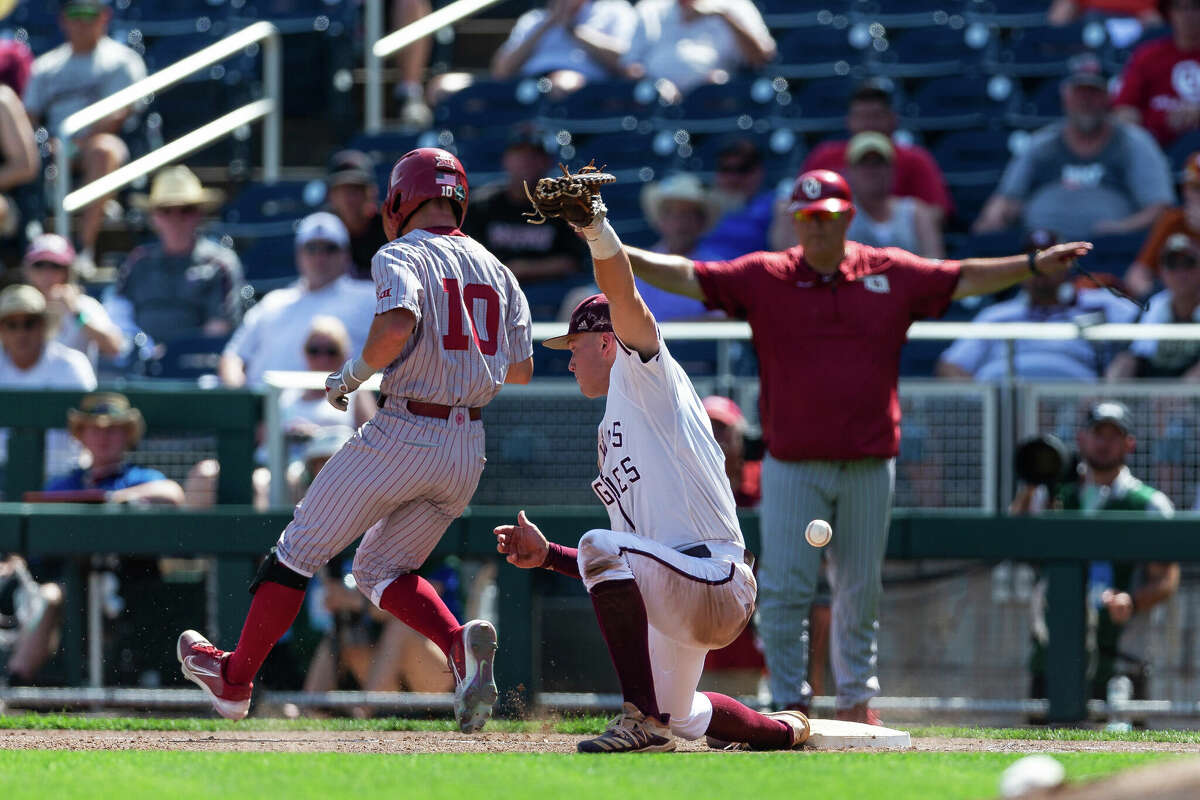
<point>671,580</point>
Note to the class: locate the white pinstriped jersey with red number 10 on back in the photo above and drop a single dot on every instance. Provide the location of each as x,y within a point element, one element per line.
<point>472,318</point>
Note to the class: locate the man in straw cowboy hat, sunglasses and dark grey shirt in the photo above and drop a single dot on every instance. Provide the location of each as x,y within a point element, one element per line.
<point>182,285</point>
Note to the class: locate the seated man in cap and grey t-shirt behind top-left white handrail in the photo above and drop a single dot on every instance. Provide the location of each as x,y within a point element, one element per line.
<point>87,69</point>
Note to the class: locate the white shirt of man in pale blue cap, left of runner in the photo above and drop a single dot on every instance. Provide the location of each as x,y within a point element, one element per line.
<point>273,334</point>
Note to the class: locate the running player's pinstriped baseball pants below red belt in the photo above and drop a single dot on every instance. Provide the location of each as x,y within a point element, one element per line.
<point>400,480</point>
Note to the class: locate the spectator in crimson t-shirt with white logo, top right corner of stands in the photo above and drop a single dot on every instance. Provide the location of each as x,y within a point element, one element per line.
<point>1161,85</point>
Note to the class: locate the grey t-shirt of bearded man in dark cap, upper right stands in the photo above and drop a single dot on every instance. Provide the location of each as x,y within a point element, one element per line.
<point>1070,195</point>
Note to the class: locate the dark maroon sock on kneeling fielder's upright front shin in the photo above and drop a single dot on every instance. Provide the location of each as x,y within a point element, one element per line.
<point>622,615</point>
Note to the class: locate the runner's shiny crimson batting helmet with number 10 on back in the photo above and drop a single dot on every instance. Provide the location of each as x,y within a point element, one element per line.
<point>422,176</point>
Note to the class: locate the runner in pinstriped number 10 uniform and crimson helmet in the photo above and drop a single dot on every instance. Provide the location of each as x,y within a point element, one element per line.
<point>452,326</point>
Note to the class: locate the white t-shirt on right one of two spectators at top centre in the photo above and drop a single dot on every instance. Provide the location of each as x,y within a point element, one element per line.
<point>687,52</point>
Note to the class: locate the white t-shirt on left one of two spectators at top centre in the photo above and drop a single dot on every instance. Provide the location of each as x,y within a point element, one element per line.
<point>560,51</point>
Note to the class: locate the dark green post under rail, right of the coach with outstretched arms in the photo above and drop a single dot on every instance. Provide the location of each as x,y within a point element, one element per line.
<point>1066,655</point>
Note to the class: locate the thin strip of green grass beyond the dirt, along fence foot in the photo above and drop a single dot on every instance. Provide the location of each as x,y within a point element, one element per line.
<point>572,726</point>
